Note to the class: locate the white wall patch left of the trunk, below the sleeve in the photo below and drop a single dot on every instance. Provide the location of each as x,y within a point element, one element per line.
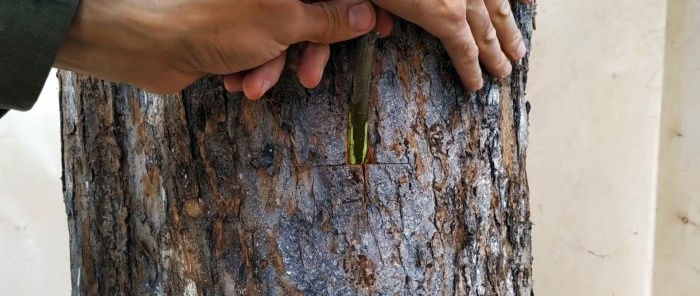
<point>33,227</point>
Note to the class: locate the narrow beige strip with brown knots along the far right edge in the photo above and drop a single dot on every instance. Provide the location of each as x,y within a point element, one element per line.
<point>677,264</point>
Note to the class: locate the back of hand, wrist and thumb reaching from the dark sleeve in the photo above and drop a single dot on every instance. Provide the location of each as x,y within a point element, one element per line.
<point>164,46</point>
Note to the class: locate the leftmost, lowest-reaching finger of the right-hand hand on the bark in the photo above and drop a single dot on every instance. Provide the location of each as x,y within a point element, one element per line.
<point>465,57</point>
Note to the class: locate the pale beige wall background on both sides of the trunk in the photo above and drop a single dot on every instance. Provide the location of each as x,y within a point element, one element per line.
<point>600,143</point>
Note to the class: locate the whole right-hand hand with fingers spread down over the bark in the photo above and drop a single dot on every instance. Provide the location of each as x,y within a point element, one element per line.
<point>470,30</point>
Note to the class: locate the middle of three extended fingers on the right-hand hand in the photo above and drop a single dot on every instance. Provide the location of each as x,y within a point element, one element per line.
<point>490,53</point>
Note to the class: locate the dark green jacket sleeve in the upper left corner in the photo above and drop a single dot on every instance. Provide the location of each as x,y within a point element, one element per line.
<point>31,32</point>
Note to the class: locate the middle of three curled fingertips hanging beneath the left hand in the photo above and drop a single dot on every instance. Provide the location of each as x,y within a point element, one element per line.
<point>259,80</point>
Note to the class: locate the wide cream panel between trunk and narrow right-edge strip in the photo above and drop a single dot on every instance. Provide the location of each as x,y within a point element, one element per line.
<point>595,88</point>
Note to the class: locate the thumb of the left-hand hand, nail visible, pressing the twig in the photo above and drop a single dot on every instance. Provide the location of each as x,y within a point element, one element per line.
<point>336,20</point>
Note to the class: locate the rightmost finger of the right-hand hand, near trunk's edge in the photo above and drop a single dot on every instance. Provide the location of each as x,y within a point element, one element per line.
<point>507,30</point>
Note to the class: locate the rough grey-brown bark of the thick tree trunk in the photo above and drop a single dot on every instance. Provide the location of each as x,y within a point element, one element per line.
<point>205,193</point>
